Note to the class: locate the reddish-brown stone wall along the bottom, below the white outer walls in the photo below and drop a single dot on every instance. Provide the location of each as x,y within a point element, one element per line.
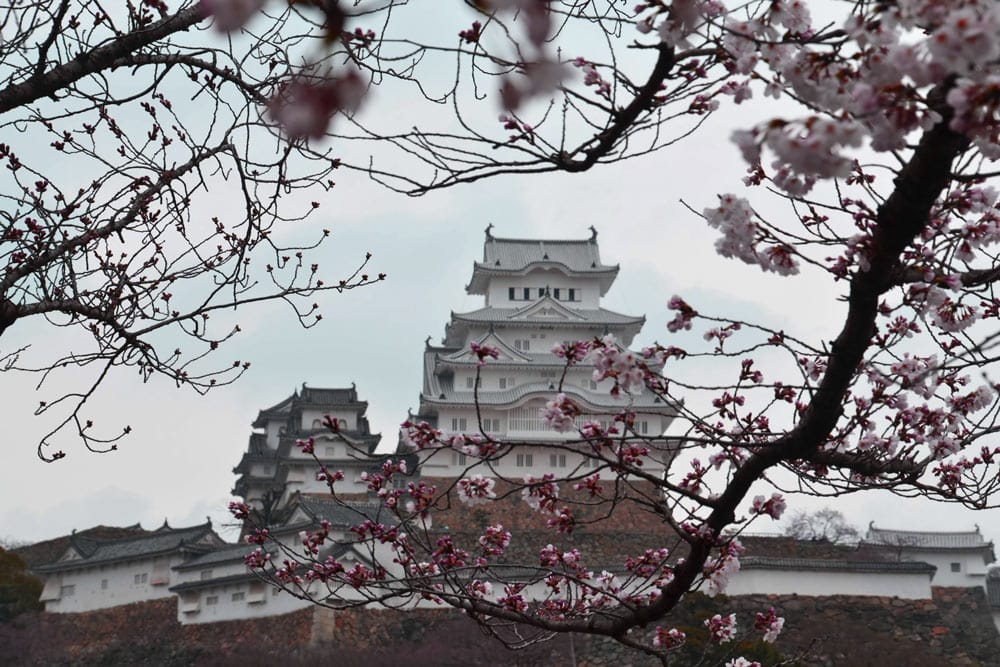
<point>955,628</point>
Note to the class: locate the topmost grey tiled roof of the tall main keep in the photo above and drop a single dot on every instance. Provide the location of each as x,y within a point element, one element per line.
<point>518,256</point>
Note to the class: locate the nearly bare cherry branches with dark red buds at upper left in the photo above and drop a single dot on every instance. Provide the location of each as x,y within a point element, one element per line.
<point>136,217</point>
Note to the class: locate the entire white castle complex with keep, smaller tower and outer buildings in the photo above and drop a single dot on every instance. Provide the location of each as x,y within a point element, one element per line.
<point>536,293</point>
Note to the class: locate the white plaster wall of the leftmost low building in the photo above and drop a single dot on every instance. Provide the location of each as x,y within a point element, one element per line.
<point>121,588</point>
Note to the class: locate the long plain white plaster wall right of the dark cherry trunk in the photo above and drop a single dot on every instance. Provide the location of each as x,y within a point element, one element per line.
<point>910,586</point>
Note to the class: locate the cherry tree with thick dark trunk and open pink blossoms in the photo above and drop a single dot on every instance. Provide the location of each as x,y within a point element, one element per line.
<point>882,158</point>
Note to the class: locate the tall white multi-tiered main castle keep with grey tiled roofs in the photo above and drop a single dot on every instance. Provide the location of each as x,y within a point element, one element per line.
<point>537,293</point>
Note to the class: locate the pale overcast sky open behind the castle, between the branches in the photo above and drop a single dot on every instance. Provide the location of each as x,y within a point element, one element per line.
<point>177,464</point>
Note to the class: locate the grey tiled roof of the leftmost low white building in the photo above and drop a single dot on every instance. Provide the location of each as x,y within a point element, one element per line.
<point>165,540</point>
